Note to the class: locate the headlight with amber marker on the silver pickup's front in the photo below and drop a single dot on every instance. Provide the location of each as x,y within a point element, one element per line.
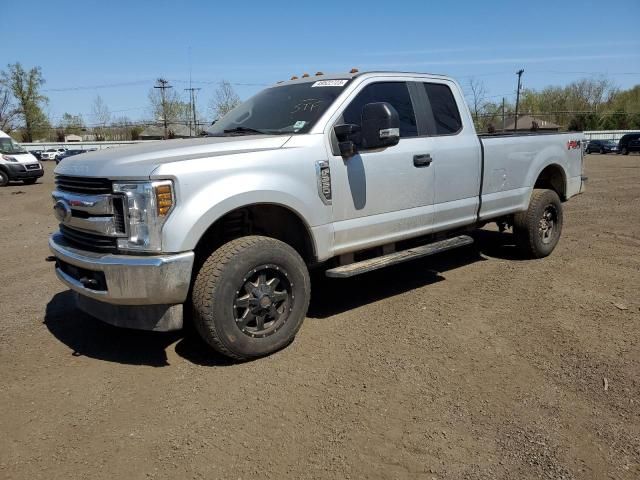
<point>147,205</point>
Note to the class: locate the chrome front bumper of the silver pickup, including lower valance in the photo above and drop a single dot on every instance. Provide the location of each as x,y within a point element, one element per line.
<point>144,293</point>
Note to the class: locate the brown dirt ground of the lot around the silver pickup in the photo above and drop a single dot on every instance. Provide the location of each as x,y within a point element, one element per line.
<point>470,365</point>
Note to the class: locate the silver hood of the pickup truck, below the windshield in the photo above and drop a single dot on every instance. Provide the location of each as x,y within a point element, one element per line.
<point>140,160</point>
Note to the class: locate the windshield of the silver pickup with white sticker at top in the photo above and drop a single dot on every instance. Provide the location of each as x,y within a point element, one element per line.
<point>287,109</point>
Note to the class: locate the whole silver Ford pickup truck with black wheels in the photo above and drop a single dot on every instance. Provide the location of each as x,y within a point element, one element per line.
<point>345,173</point>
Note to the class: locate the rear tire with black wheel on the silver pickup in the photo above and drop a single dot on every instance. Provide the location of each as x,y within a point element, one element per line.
<point>533,238</point>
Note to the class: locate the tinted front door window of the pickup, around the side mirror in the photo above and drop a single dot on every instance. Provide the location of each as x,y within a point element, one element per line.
<point>395,93</point>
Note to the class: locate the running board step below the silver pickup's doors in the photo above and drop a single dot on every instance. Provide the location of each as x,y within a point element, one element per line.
<point>371,264</point>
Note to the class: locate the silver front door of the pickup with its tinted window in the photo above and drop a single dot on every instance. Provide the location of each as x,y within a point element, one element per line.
<point>386,194</point>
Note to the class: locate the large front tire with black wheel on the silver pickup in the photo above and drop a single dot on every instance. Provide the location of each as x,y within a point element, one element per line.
<point>241,314</point>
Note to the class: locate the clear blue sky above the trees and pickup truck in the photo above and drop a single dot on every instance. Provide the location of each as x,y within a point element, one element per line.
<point>116,49</point>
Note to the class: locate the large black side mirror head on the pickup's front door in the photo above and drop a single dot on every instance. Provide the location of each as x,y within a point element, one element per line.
<point>380,125</point>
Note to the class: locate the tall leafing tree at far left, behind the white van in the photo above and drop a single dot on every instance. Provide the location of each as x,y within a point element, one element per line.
<point>25,86</point>
